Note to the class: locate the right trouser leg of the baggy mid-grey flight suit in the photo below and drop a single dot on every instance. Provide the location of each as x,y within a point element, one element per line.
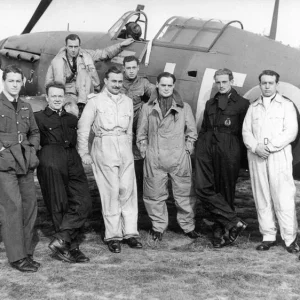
<point>184,196</point>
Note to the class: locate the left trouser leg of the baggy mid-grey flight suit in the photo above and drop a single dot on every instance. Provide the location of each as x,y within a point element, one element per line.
<point>155,196</point>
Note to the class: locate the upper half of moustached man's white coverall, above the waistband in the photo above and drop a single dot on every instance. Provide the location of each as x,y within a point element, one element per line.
<point>106,116</point>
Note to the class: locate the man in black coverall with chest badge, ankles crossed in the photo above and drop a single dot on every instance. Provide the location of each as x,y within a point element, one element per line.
<point>218,157</point>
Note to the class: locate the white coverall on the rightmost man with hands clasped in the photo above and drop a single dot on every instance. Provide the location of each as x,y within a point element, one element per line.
<point>272,179</point>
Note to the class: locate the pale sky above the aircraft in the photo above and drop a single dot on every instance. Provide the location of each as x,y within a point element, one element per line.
<point>100,15</point>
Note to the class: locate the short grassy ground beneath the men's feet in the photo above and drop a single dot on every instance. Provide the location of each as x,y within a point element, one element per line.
<point>176,268</point>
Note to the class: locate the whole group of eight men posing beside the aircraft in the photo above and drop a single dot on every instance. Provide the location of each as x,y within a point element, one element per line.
<point>134,120</point>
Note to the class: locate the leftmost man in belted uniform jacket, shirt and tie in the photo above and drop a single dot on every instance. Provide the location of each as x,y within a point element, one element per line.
<point>19,140</point>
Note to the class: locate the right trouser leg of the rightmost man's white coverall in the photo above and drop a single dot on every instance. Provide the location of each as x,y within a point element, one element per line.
<point>283,193</point>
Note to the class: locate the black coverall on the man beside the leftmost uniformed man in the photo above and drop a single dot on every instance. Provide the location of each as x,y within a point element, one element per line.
<point>61,175</point>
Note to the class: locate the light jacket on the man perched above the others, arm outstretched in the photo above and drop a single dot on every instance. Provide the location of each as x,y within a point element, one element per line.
<point>59,69</point>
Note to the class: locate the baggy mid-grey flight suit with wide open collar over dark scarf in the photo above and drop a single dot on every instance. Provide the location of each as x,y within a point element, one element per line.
<point>170,141</point>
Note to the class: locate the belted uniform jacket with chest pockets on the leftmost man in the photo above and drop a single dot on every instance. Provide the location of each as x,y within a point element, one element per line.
<point>19,135</point>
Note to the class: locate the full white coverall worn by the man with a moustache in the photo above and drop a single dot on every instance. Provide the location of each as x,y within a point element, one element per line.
<point>110,117</point>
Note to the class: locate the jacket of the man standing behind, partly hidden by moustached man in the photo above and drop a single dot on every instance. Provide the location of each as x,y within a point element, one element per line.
<point>137,89</point>
